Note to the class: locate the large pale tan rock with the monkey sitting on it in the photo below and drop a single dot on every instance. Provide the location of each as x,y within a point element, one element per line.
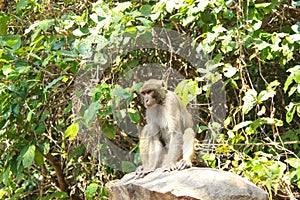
<point>193,183</point>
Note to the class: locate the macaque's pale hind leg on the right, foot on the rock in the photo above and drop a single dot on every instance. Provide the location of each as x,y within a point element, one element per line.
<point>188,149</point>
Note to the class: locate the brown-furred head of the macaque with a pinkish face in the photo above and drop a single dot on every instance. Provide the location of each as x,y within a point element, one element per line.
<point>153,92</point>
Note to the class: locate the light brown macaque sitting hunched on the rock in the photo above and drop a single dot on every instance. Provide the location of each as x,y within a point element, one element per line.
<point>167,140</point>
